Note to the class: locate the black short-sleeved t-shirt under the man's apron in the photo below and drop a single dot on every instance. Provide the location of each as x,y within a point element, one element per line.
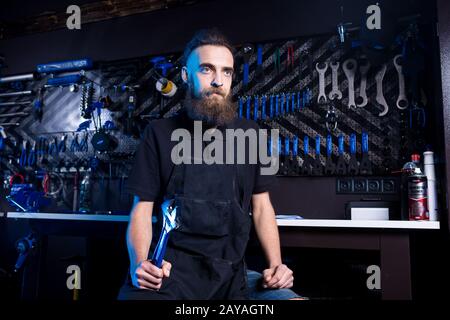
<point>153,165</point>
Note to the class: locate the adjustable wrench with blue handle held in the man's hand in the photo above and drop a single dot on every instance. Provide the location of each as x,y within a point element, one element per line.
<point>169,213</point>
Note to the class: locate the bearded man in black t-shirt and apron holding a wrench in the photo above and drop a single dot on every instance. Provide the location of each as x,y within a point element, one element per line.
<point>205,254</point>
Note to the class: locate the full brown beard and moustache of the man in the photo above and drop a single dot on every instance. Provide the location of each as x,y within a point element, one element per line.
<point>215,111</point>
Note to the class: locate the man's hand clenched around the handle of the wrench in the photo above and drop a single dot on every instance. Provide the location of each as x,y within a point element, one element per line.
<point>148,276</point>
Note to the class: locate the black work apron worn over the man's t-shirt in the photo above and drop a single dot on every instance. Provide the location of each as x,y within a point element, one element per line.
<point>207,249</point>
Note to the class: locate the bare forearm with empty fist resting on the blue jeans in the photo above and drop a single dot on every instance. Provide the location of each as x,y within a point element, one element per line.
<point>277,275</point>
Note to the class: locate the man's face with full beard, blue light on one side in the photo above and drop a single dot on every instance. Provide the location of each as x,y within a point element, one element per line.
<point>208,74</point>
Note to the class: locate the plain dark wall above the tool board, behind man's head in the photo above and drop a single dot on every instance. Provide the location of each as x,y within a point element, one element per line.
<point>168,30</point>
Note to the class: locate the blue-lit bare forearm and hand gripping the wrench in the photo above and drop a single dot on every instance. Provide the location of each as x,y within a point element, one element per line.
<point>143,273</point>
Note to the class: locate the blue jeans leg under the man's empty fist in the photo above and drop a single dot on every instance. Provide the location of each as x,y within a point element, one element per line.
<point>257,292</point>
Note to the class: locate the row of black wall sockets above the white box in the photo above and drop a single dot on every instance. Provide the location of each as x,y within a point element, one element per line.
<point>361,185</point>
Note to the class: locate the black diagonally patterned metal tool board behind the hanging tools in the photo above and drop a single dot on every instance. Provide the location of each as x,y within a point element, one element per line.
<point>62,113</point>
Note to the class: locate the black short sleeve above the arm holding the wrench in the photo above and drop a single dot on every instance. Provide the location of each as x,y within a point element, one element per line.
<point>144,179</point>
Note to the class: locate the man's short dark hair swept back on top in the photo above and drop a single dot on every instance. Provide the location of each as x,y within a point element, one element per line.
<point>206,37</point>
